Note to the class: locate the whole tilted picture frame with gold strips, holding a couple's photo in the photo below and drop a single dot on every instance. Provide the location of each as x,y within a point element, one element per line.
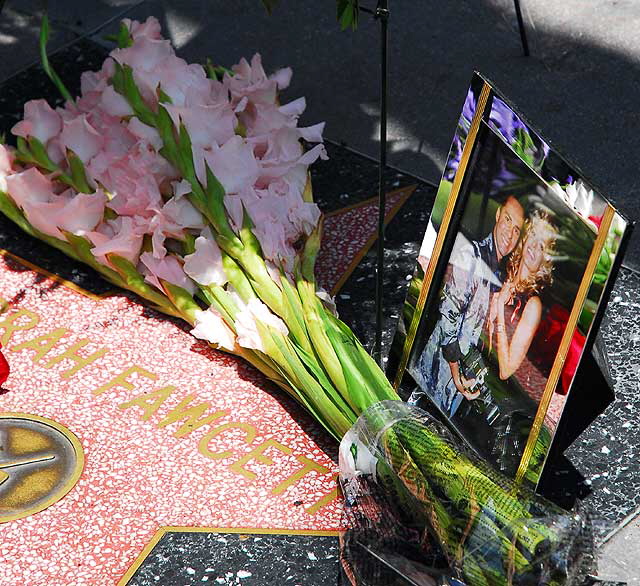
<point>510,283</point>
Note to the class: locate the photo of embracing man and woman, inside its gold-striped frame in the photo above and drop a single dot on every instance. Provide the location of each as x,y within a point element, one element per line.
<point>485,348</point>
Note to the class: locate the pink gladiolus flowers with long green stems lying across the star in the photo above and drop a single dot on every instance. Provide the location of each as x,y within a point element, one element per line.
<point>189,186</point>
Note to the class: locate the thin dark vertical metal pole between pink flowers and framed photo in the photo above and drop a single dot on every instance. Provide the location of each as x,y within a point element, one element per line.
<point>382,13</point>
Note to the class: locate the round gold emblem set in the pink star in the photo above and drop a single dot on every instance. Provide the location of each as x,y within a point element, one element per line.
<point>40,462</point>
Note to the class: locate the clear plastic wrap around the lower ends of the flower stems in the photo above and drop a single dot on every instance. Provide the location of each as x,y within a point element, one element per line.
<point>423,507</point>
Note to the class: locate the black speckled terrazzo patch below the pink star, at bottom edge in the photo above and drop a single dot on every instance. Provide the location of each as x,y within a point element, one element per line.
<point>247,560</point>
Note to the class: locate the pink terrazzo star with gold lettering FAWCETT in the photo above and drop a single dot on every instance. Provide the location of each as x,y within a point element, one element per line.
<point>248,457</point>
